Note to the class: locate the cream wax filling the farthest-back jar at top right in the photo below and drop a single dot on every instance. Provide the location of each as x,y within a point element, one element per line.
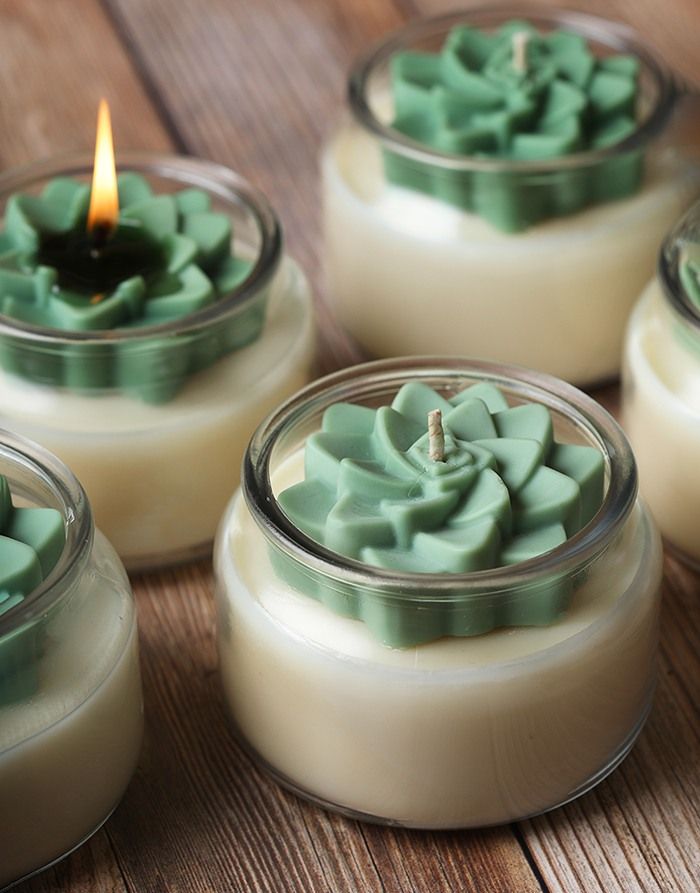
<point>409,274</point>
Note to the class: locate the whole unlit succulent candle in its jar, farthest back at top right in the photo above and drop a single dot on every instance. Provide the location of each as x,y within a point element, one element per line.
<point>479,206</point>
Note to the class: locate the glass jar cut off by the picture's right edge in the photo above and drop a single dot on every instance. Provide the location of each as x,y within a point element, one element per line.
<point>661,392</point>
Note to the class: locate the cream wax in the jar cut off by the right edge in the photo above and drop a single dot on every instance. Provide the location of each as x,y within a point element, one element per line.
<point>662,418</point>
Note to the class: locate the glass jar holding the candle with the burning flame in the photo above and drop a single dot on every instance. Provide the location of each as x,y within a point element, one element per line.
<point>154,420</point>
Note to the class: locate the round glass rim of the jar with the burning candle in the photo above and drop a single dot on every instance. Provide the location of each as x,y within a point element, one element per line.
<point>215,178</point>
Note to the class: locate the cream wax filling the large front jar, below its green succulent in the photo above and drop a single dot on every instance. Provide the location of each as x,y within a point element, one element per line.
<point>454,733</point>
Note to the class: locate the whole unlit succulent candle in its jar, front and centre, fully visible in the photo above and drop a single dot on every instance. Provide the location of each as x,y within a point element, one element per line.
<point>463,642</point>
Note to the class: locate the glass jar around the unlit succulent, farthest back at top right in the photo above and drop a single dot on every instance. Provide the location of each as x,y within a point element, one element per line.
<point>527,262</point>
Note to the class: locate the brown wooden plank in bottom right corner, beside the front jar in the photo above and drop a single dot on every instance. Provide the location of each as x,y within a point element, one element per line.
<point>638,832</point>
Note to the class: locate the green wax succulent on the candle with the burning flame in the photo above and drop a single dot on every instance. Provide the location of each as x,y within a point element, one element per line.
<point>168,257</point>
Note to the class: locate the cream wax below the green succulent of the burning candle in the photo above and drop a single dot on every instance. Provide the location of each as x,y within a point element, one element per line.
<point>158,477</point>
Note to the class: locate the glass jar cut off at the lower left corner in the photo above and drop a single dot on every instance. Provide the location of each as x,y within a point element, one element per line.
<point>71,712</point>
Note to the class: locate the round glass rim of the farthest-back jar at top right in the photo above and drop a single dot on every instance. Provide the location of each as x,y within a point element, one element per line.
<point>616,35</point>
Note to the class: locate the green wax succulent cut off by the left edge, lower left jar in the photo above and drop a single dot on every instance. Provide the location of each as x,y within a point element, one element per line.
<point>31,542</point>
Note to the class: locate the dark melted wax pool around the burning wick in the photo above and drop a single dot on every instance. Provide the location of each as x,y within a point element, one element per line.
<point>96,262</point>
